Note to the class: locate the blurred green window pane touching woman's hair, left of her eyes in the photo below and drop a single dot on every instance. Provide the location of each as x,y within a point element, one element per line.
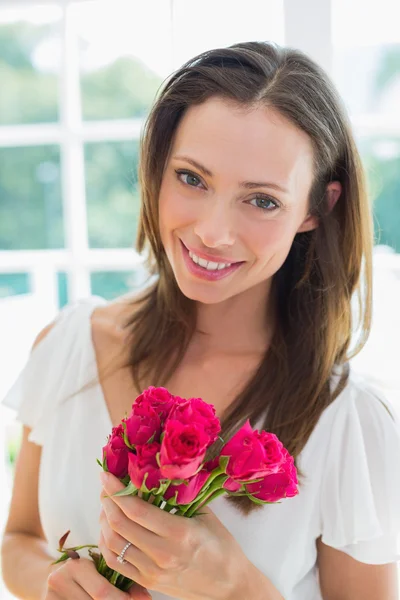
<point>112,193</point>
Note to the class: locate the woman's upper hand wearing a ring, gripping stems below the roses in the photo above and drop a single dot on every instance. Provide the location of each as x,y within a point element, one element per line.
<point>189,559</point>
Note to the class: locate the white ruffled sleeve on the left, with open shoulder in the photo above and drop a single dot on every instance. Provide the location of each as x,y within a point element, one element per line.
<point>46,376</point>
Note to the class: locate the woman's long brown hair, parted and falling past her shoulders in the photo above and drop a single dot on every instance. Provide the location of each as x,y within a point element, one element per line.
<point>313,288</point>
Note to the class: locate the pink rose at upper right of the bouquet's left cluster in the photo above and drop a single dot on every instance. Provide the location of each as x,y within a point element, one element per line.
<point>195,410</point>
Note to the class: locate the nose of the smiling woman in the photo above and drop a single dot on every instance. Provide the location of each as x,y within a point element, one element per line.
<point>215,227</point>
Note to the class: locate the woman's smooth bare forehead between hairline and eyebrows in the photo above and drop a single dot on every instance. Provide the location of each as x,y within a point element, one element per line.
<point>253,146</point>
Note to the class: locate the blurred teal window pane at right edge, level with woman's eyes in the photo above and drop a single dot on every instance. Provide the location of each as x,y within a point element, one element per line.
<point>381,157</point>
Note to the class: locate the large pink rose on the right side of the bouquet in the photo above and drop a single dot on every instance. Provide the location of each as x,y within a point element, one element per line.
<point>253,454</point>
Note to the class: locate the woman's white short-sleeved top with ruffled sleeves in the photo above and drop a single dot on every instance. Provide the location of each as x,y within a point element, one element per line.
<point>351,496</point>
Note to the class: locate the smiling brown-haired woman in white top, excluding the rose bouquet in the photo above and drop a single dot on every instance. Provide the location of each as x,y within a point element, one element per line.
<point>257,223</point>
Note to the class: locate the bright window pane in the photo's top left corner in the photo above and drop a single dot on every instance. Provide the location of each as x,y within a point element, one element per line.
<point>29,63</point>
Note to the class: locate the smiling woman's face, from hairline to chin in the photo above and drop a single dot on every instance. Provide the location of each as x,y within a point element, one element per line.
<point>241,204</point>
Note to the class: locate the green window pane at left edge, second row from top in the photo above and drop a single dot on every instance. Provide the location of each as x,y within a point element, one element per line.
<point>30,198</point>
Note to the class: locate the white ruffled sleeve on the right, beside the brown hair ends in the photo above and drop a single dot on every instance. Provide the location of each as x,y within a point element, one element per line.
<point>360,492</point>
